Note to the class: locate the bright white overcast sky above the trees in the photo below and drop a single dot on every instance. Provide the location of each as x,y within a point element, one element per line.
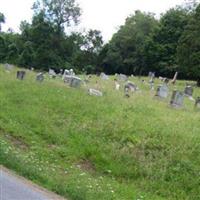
<point>103,15</point>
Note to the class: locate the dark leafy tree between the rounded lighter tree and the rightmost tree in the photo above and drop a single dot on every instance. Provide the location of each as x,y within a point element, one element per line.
<point>165,40</point>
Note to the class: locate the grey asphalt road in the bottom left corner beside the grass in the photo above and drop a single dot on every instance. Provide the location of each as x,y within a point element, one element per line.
<point>13,187</point>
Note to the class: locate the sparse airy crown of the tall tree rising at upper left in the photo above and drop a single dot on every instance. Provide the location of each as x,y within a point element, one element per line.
<point>59,12</point>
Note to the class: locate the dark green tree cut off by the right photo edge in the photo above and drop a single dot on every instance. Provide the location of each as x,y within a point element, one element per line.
<point>189,48</point>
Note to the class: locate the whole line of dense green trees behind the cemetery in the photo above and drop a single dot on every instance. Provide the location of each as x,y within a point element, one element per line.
<point>144,43</point>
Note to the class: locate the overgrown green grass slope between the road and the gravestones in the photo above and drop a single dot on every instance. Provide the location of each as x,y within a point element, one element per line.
<point>85,147</point>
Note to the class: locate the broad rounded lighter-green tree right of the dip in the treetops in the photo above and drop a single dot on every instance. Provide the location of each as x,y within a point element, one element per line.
<point>125,51</point>
